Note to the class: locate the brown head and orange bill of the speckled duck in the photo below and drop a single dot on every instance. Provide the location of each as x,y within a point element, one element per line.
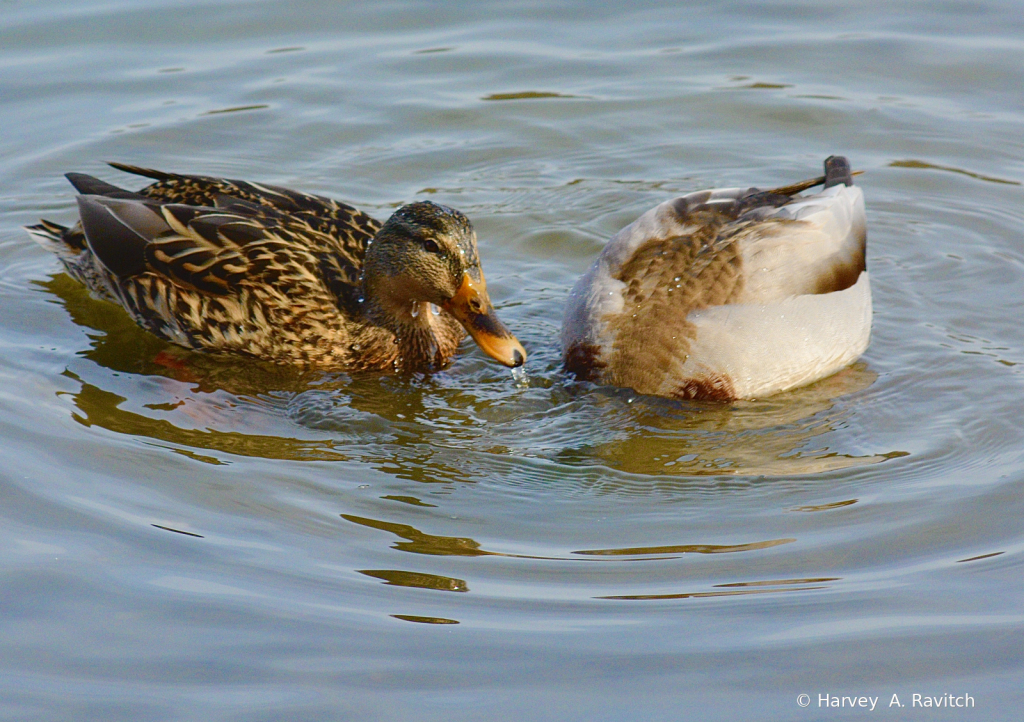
<point>426,253</point>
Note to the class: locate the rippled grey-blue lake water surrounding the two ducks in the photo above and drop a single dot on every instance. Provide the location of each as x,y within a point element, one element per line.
<point>214,540</point>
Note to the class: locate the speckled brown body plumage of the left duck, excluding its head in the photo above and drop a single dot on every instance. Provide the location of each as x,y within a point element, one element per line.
<point>240,268</point>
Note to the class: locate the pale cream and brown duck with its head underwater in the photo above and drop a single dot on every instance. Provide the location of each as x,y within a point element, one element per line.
<point>728,294</point>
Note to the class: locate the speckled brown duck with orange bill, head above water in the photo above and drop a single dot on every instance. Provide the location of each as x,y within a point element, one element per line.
<point>239,268</point>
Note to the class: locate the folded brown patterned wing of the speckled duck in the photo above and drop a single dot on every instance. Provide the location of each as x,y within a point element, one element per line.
<point>228,279</point>
